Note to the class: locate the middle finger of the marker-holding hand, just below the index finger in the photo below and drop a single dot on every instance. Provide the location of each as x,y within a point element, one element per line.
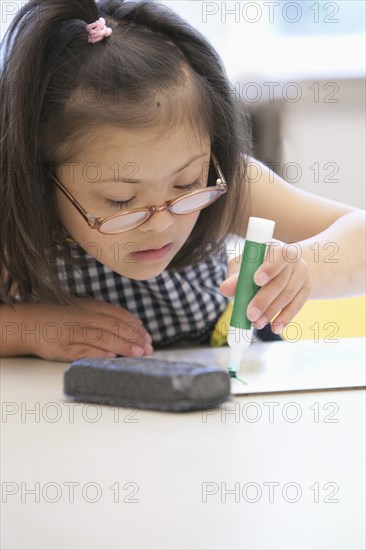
<point>265,296</point>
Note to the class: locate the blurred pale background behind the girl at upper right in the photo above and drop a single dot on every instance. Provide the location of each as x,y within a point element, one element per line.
<point>299,67</point>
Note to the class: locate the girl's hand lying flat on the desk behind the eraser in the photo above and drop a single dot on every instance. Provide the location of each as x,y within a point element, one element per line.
<point>90,329</point>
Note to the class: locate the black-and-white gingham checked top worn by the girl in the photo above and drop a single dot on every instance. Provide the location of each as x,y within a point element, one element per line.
<point>174,306</point>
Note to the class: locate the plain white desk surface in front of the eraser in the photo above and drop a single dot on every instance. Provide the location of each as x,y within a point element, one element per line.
<point>272,471</point>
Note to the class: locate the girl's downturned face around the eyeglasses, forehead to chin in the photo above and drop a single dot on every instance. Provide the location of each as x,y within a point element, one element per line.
<point>95,179</point>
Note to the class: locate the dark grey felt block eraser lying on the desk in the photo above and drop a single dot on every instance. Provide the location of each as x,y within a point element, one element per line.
<point>147,383</point>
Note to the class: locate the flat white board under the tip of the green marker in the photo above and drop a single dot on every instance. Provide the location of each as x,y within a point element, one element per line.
<point>286,367</point>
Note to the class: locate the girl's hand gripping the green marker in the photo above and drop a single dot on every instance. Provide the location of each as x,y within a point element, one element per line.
<point>285,286</point>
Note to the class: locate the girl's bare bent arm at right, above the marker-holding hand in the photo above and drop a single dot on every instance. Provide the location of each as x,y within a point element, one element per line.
<point>328,235</point>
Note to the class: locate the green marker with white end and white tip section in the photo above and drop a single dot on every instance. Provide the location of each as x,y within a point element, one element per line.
<point>259,235</point>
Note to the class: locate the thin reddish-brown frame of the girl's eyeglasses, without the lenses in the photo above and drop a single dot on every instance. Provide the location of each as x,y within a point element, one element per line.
<point>96,222</point>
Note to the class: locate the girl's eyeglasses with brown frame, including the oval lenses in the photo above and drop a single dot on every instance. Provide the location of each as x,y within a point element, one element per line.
<point>125,221</point>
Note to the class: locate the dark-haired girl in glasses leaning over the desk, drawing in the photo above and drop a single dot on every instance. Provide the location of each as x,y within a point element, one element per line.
<point>125,168</point>
